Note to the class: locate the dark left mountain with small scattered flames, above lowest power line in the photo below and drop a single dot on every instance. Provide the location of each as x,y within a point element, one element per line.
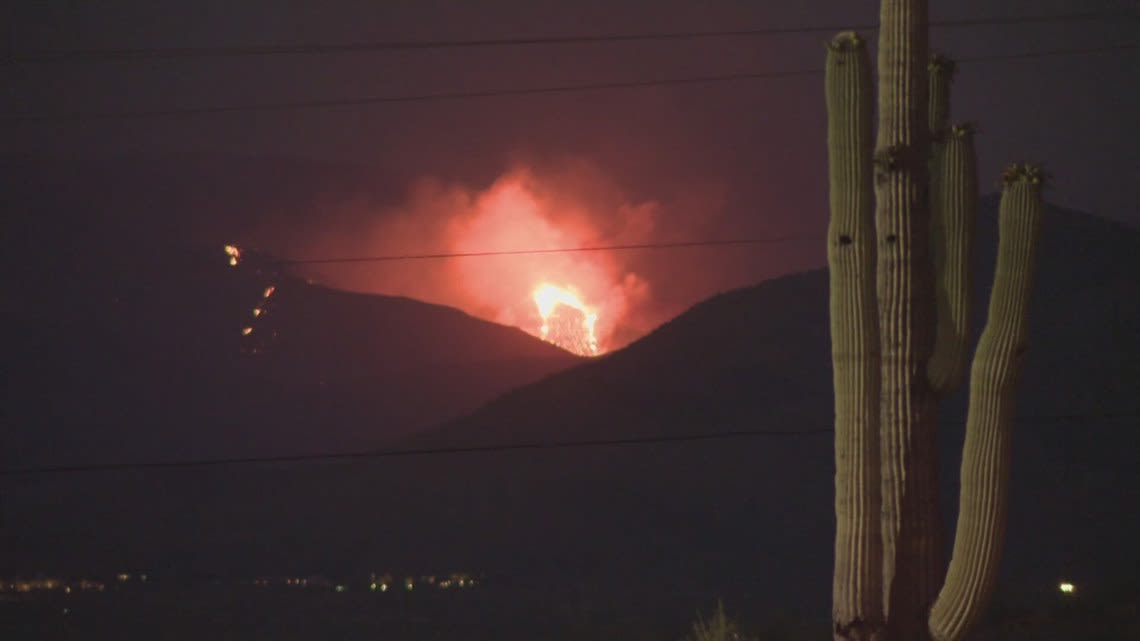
<point>152,364</point>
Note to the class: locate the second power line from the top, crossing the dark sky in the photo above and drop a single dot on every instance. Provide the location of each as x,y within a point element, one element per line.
<point>332,103</point>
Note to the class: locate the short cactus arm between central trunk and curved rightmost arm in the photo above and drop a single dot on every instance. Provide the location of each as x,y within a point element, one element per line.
<point>952,237</point>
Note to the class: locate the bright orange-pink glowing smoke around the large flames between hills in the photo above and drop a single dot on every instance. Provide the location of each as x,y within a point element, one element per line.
<point>573,299</point>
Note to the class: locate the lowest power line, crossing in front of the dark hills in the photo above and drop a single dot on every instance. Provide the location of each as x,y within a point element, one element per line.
<point>478,449</point>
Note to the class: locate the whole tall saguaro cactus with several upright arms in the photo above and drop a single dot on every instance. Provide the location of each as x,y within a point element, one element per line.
<point>899,251</point>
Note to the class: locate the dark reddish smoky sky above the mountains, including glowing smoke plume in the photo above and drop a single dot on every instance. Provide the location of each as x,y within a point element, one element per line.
<point>716,160</point>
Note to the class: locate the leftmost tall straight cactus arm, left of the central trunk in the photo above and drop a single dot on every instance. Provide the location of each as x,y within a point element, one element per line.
<point>858,583</point>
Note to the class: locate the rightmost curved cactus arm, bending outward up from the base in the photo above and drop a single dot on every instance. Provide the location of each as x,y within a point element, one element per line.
<point>994,390</point>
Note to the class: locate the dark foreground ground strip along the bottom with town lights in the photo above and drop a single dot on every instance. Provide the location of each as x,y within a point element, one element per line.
<point>218,611</point>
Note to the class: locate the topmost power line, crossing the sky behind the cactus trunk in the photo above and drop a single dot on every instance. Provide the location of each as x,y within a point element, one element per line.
<point>175,53</point>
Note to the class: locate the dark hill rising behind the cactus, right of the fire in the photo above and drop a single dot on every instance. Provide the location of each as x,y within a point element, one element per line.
<point>759,359</point>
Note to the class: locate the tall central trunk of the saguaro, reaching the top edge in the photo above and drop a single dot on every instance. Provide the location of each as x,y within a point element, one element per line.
<point>911,524</point>
